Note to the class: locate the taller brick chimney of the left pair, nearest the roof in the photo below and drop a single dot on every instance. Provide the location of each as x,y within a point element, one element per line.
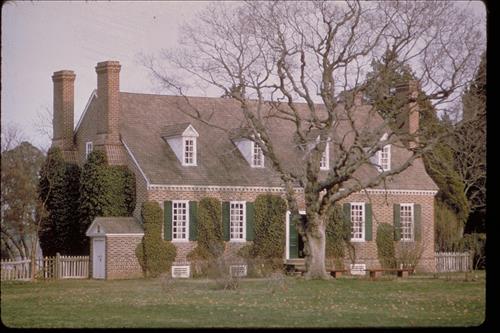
<point>108,96</point>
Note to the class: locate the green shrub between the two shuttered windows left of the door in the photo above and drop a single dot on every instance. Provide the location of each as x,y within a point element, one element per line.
<point>210,235</point>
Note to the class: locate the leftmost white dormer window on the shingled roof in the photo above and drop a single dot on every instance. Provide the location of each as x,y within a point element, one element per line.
<point>182,140</point>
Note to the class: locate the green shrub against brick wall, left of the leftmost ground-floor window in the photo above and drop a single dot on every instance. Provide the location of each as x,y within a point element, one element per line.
<point>153,253</point>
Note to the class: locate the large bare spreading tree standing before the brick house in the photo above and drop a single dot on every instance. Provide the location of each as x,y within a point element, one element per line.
<point>304,63</point>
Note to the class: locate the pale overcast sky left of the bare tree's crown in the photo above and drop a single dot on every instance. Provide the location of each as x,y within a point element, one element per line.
<point>39,38</point>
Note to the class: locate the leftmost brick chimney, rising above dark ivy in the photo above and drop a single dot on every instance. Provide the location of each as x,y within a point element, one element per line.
<point>64,106</point>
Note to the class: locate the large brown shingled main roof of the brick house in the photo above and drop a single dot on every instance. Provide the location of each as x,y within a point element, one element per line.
<point>146,118</point>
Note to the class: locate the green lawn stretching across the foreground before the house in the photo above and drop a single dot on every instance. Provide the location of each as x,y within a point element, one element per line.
<point>345,302</point>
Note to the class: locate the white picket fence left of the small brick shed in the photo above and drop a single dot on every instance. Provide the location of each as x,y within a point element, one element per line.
<point>58,267</point>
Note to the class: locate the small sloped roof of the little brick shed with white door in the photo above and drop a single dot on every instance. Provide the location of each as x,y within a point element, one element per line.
<point>114,226</point>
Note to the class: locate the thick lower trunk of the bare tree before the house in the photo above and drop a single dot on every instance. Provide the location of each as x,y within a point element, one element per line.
<point>315,252</point>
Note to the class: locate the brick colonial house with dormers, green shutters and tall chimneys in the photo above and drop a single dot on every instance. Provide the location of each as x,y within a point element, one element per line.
<point>178,160</point>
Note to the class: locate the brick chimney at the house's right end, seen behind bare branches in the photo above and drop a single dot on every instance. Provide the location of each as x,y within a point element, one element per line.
<point>408,119</point>
